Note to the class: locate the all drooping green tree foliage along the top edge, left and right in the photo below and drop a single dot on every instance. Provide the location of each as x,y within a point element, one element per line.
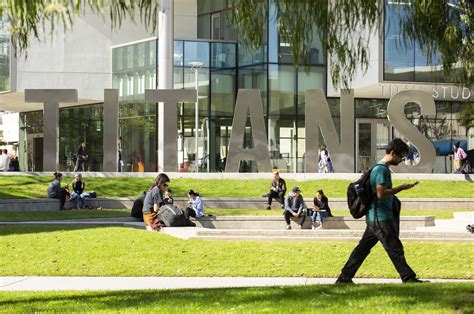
<point>443,26</point>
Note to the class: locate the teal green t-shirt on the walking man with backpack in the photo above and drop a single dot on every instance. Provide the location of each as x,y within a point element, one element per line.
<point>381,175</point>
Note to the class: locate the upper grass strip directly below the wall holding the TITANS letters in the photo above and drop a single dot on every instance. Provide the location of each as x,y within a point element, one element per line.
<point>35,187</point>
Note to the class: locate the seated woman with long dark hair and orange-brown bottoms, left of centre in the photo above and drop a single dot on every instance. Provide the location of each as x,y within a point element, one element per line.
<point>153,201</point>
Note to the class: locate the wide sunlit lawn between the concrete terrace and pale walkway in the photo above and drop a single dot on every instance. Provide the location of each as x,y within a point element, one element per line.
<point>115,251</point>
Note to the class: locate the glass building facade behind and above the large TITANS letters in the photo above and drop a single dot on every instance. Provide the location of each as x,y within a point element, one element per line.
<point>227,66</point>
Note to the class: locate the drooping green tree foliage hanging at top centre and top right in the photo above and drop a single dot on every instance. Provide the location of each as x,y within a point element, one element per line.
<point>443,26</point>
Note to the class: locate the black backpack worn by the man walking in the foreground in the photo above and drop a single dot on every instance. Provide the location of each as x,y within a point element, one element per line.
<point>359,195</point>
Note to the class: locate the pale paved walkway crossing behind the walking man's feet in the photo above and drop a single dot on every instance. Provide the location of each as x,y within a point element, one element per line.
<point>135,283</point>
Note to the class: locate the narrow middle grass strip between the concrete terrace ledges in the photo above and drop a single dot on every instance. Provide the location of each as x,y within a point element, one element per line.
<point>110,213</point>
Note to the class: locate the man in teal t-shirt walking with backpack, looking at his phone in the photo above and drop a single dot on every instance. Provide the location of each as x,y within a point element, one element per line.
<point>382,223</point>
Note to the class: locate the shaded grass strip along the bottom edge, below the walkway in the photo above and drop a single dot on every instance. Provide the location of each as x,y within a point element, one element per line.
<point>425,298</point>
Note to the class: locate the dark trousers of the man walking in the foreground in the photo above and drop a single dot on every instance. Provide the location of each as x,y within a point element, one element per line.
<point>387,233</point>
